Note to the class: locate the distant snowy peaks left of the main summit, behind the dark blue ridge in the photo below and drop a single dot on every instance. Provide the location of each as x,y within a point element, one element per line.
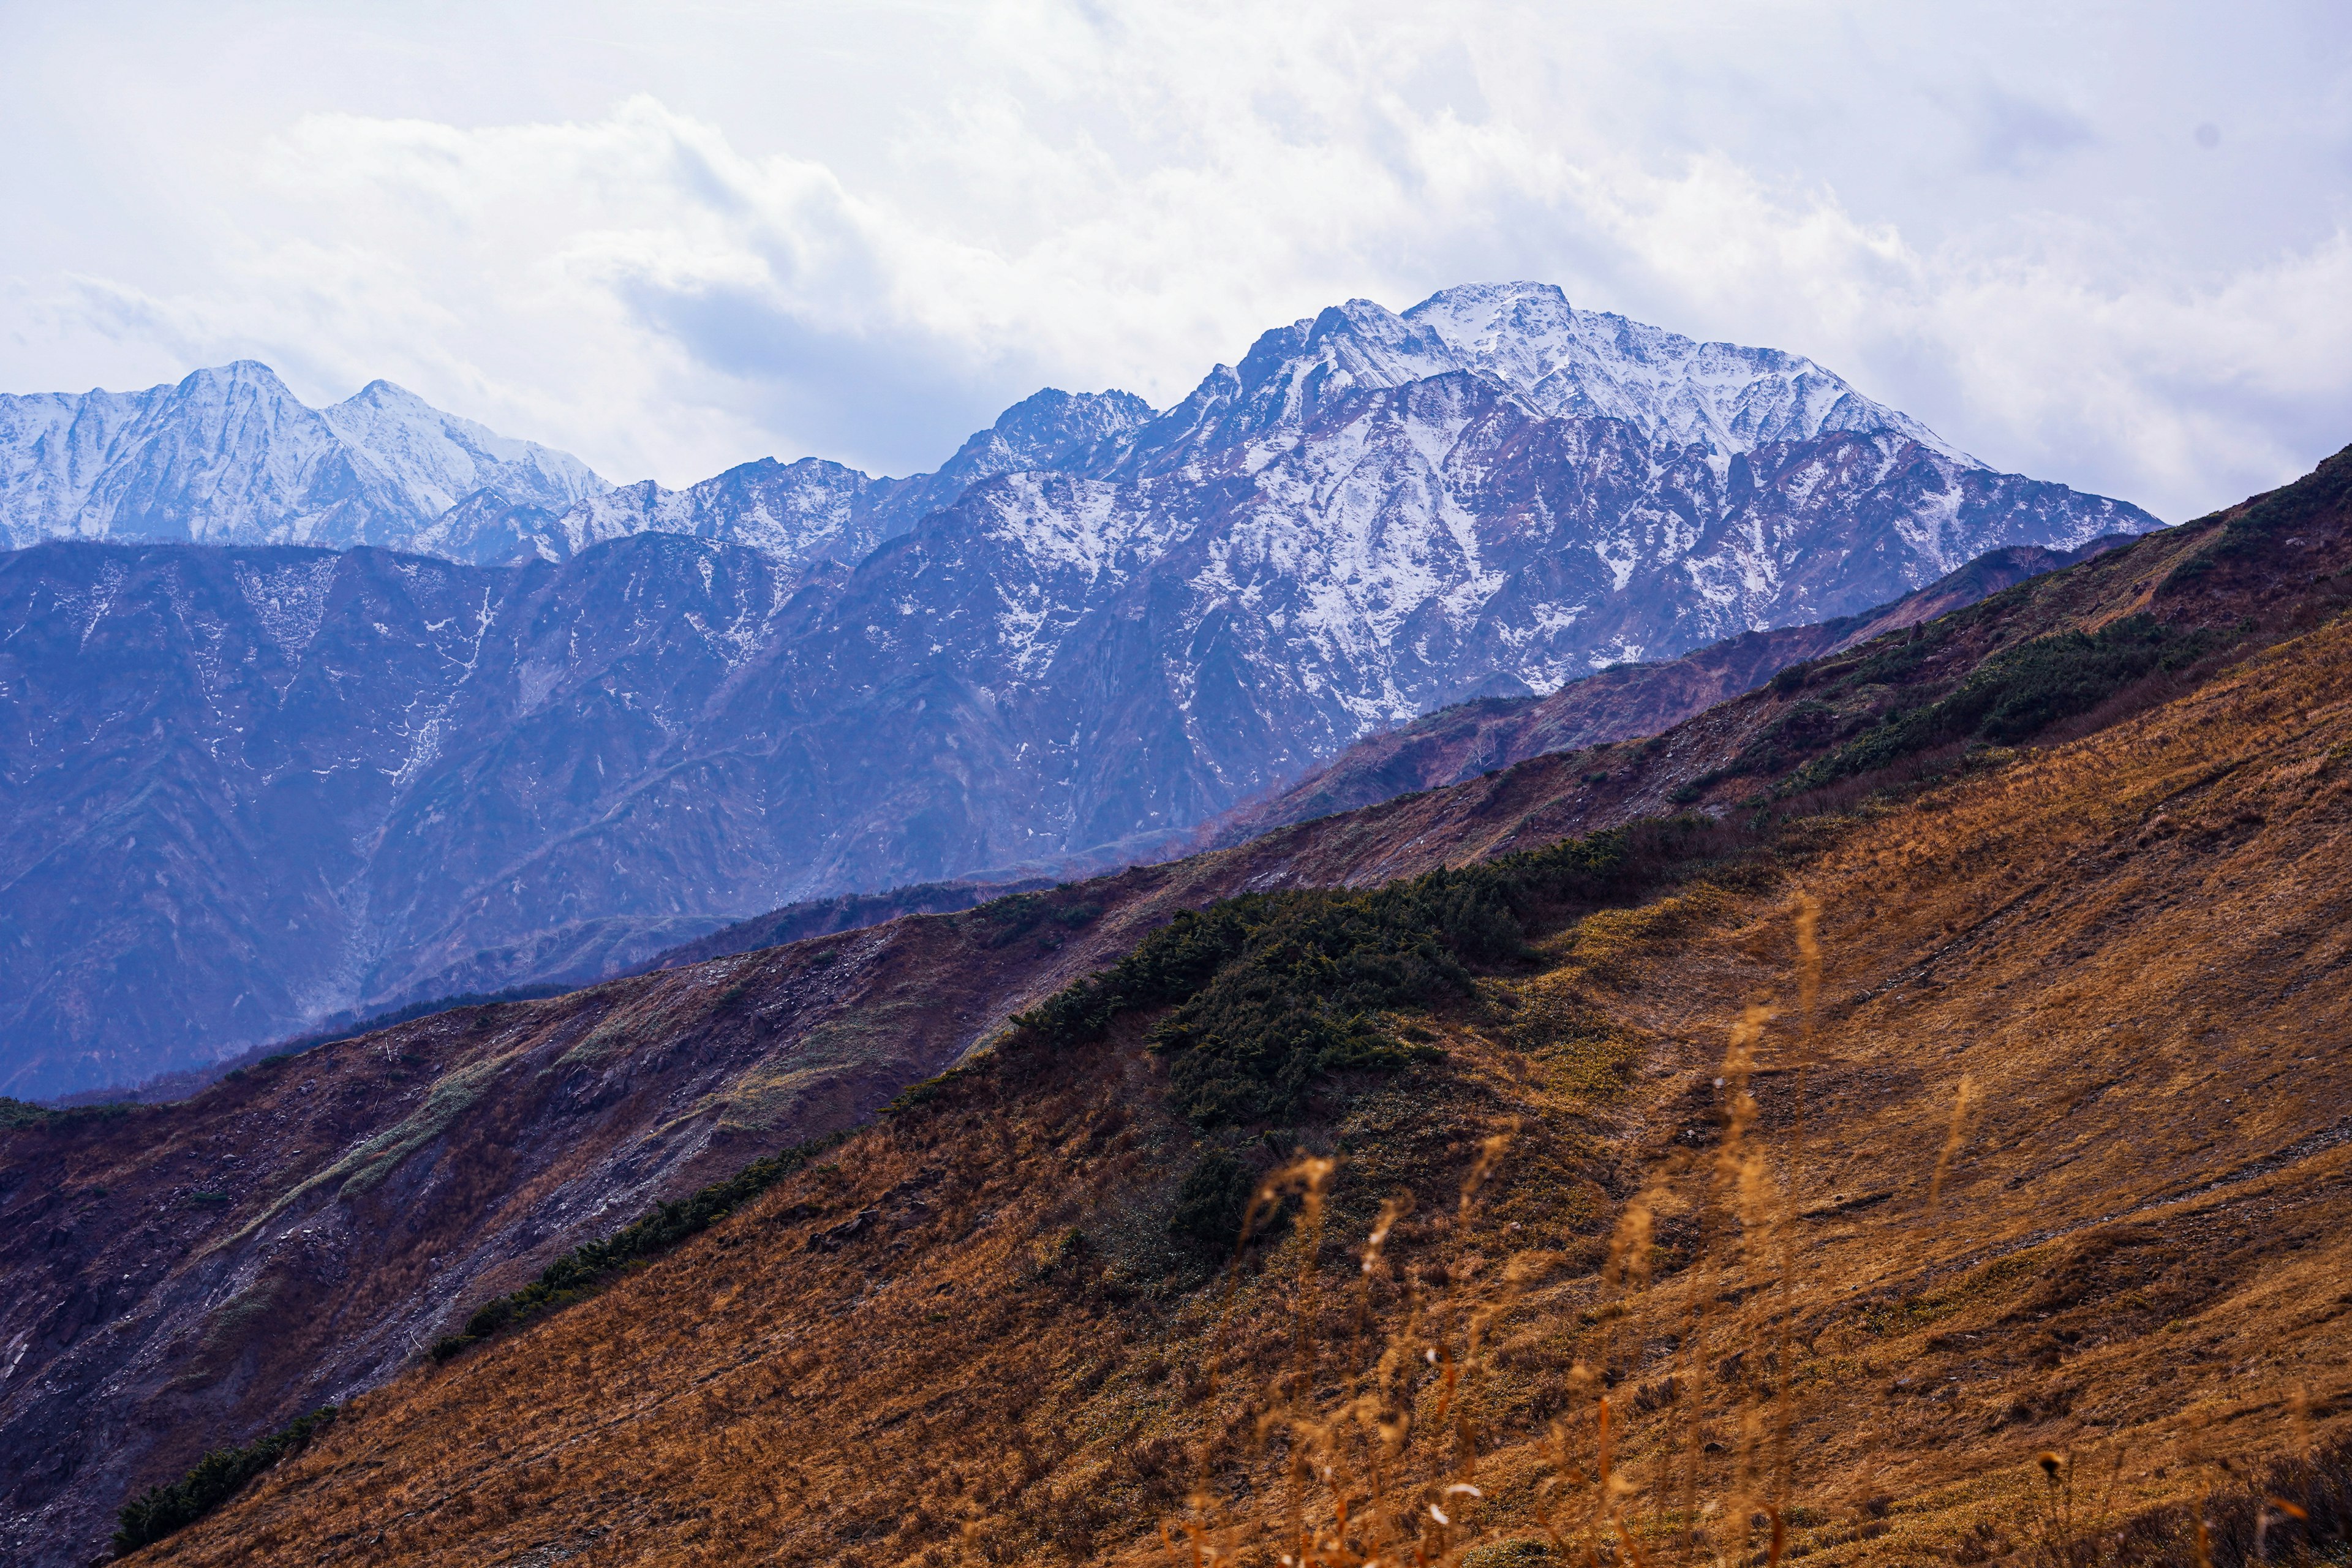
<point>229,457</point>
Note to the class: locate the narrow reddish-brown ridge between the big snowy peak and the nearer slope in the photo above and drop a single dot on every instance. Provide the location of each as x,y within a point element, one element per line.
<point>1619,704</point>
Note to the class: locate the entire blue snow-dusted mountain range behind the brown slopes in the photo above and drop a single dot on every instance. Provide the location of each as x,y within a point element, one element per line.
<point>246,789</point>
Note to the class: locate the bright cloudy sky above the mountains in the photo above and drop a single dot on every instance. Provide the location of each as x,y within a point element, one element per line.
<point>2094,243</point>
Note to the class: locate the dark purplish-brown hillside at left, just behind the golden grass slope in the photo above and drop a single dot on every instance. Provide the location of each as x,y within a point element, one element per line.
<point>201,1273</point>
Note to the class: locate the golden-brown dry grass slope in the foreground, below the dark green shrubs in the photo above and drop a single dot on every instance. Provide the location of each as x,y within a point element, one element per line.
<point>2062,1170</point>
